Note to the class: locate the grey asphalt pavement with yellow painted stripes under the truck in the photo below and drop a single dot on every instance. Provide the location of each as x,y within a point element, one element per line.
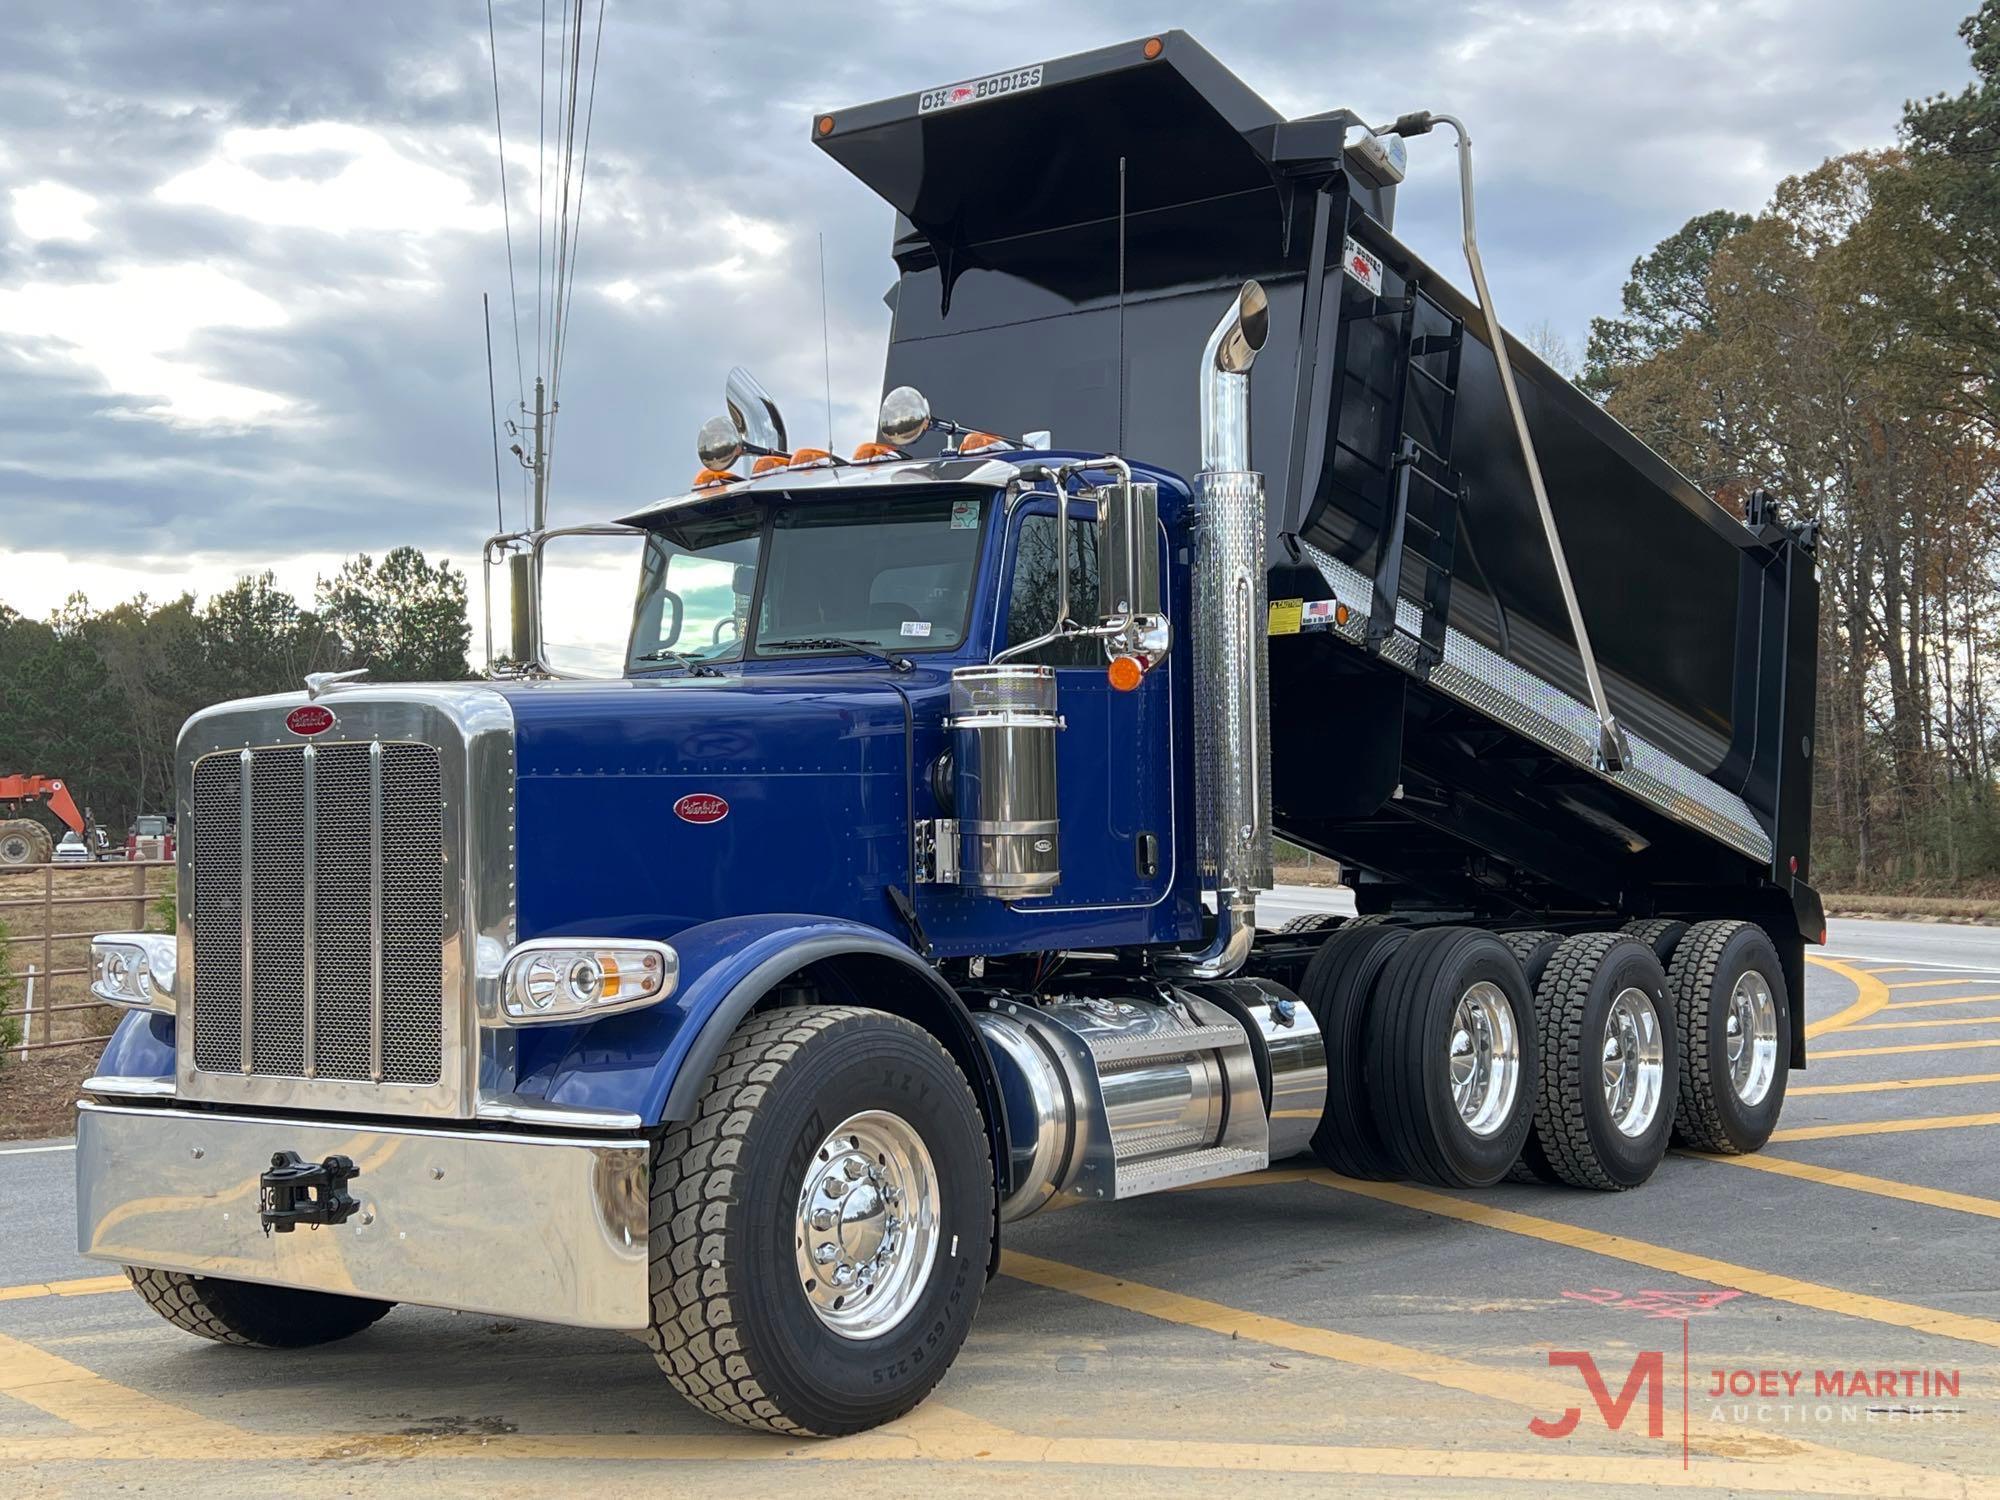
<point>1285,1331</point>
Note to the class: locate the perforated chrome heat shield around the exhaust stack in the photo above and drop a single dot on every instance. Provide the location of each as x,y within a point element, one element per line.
<point>1233,685</point>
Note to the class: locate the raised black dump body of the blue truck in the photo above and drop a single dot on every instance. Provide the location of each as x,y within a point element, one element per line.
<point>1029,301</point>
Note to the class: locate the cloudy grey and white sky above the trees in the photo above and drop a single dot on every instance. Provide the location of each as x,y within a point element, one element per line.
<point>243,245</point>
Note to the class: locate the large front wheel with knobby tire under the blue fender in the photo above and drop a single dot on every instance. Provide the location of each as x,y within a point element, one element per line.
<point>821,1227</point>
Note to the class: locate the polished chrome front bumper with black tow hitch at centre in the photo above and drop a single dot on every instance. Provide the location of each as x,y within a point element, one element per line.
<point>519,1227</point>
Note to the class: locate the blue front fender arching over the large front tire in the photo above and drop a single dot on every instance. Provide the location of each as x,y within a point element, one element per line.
<point>655,1063</point>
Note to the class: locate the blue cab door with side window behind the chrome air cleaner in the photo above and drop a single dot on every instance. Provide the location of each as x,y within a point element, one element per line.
<point>1115,753</point>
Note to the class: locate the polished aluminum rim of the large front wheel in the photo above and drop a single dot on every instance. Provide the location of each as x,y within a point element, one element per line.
<point>867,1227</point>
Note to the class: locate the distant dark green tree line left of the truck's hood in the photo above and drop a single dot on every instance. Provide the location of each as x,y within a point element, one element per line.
<point>99,697</point>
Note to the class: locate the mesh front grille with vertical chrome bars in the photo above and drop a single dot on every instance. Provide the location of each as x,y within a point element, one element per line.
<point>319,893</point>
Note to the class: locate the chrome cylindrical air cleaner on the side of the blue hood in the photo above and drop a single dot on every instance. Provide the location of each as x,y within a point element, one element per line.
<point>1009,837</point>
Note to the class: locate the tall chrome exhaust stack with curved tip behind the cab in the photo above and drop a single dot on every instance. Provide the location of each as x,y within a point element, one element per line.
<point>1231,659</point>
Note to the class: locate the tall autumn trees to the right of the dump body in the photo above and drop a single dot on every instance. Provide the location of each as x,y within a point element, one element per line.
<point>1843,351</point>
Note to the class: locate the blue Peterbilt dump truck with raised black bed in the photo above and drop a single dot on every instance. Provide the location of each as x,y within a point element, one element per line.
<point>905,883</point>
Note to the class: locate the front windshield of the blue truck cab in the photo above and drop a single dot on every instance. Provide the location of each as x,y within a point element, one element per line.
<point>879,573</point>
